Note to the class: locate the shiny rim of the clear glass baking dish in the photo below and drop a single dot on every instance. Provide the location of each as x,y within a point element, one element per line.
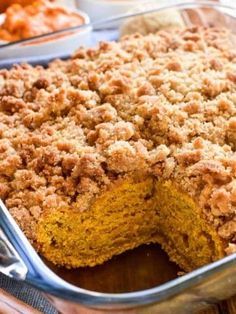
<point>41,277</point>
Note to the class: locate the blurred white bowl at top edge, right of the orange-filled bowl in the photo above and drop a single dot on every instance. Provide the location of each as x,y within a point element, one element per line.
<point>102,9</point>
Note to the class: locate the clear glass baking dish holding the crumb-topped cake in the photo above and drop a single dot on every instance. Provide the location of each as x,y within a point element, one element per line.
<point>183,294</point>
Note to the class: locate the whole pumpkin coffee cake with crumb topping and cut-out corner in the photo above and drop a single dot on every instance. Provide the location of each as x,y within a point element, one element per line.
<point>124,144</point>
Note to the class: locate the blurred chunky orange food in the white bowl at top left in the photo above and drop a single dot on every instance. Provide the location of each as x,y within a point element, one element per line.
<point>40,17</point>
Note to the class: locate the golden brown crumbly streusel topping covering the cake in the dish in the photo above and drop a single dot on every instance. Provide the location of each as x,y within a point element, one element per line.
<point>162,104</point>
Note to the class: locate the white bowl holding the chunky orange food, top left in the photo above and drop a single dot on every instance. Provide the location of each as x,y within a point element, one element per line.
<point>63,44</point>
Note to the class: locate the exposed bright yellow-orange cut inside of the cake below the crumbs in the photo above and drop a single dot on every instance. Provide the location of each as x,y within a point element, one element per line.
<point>131,213</point>
